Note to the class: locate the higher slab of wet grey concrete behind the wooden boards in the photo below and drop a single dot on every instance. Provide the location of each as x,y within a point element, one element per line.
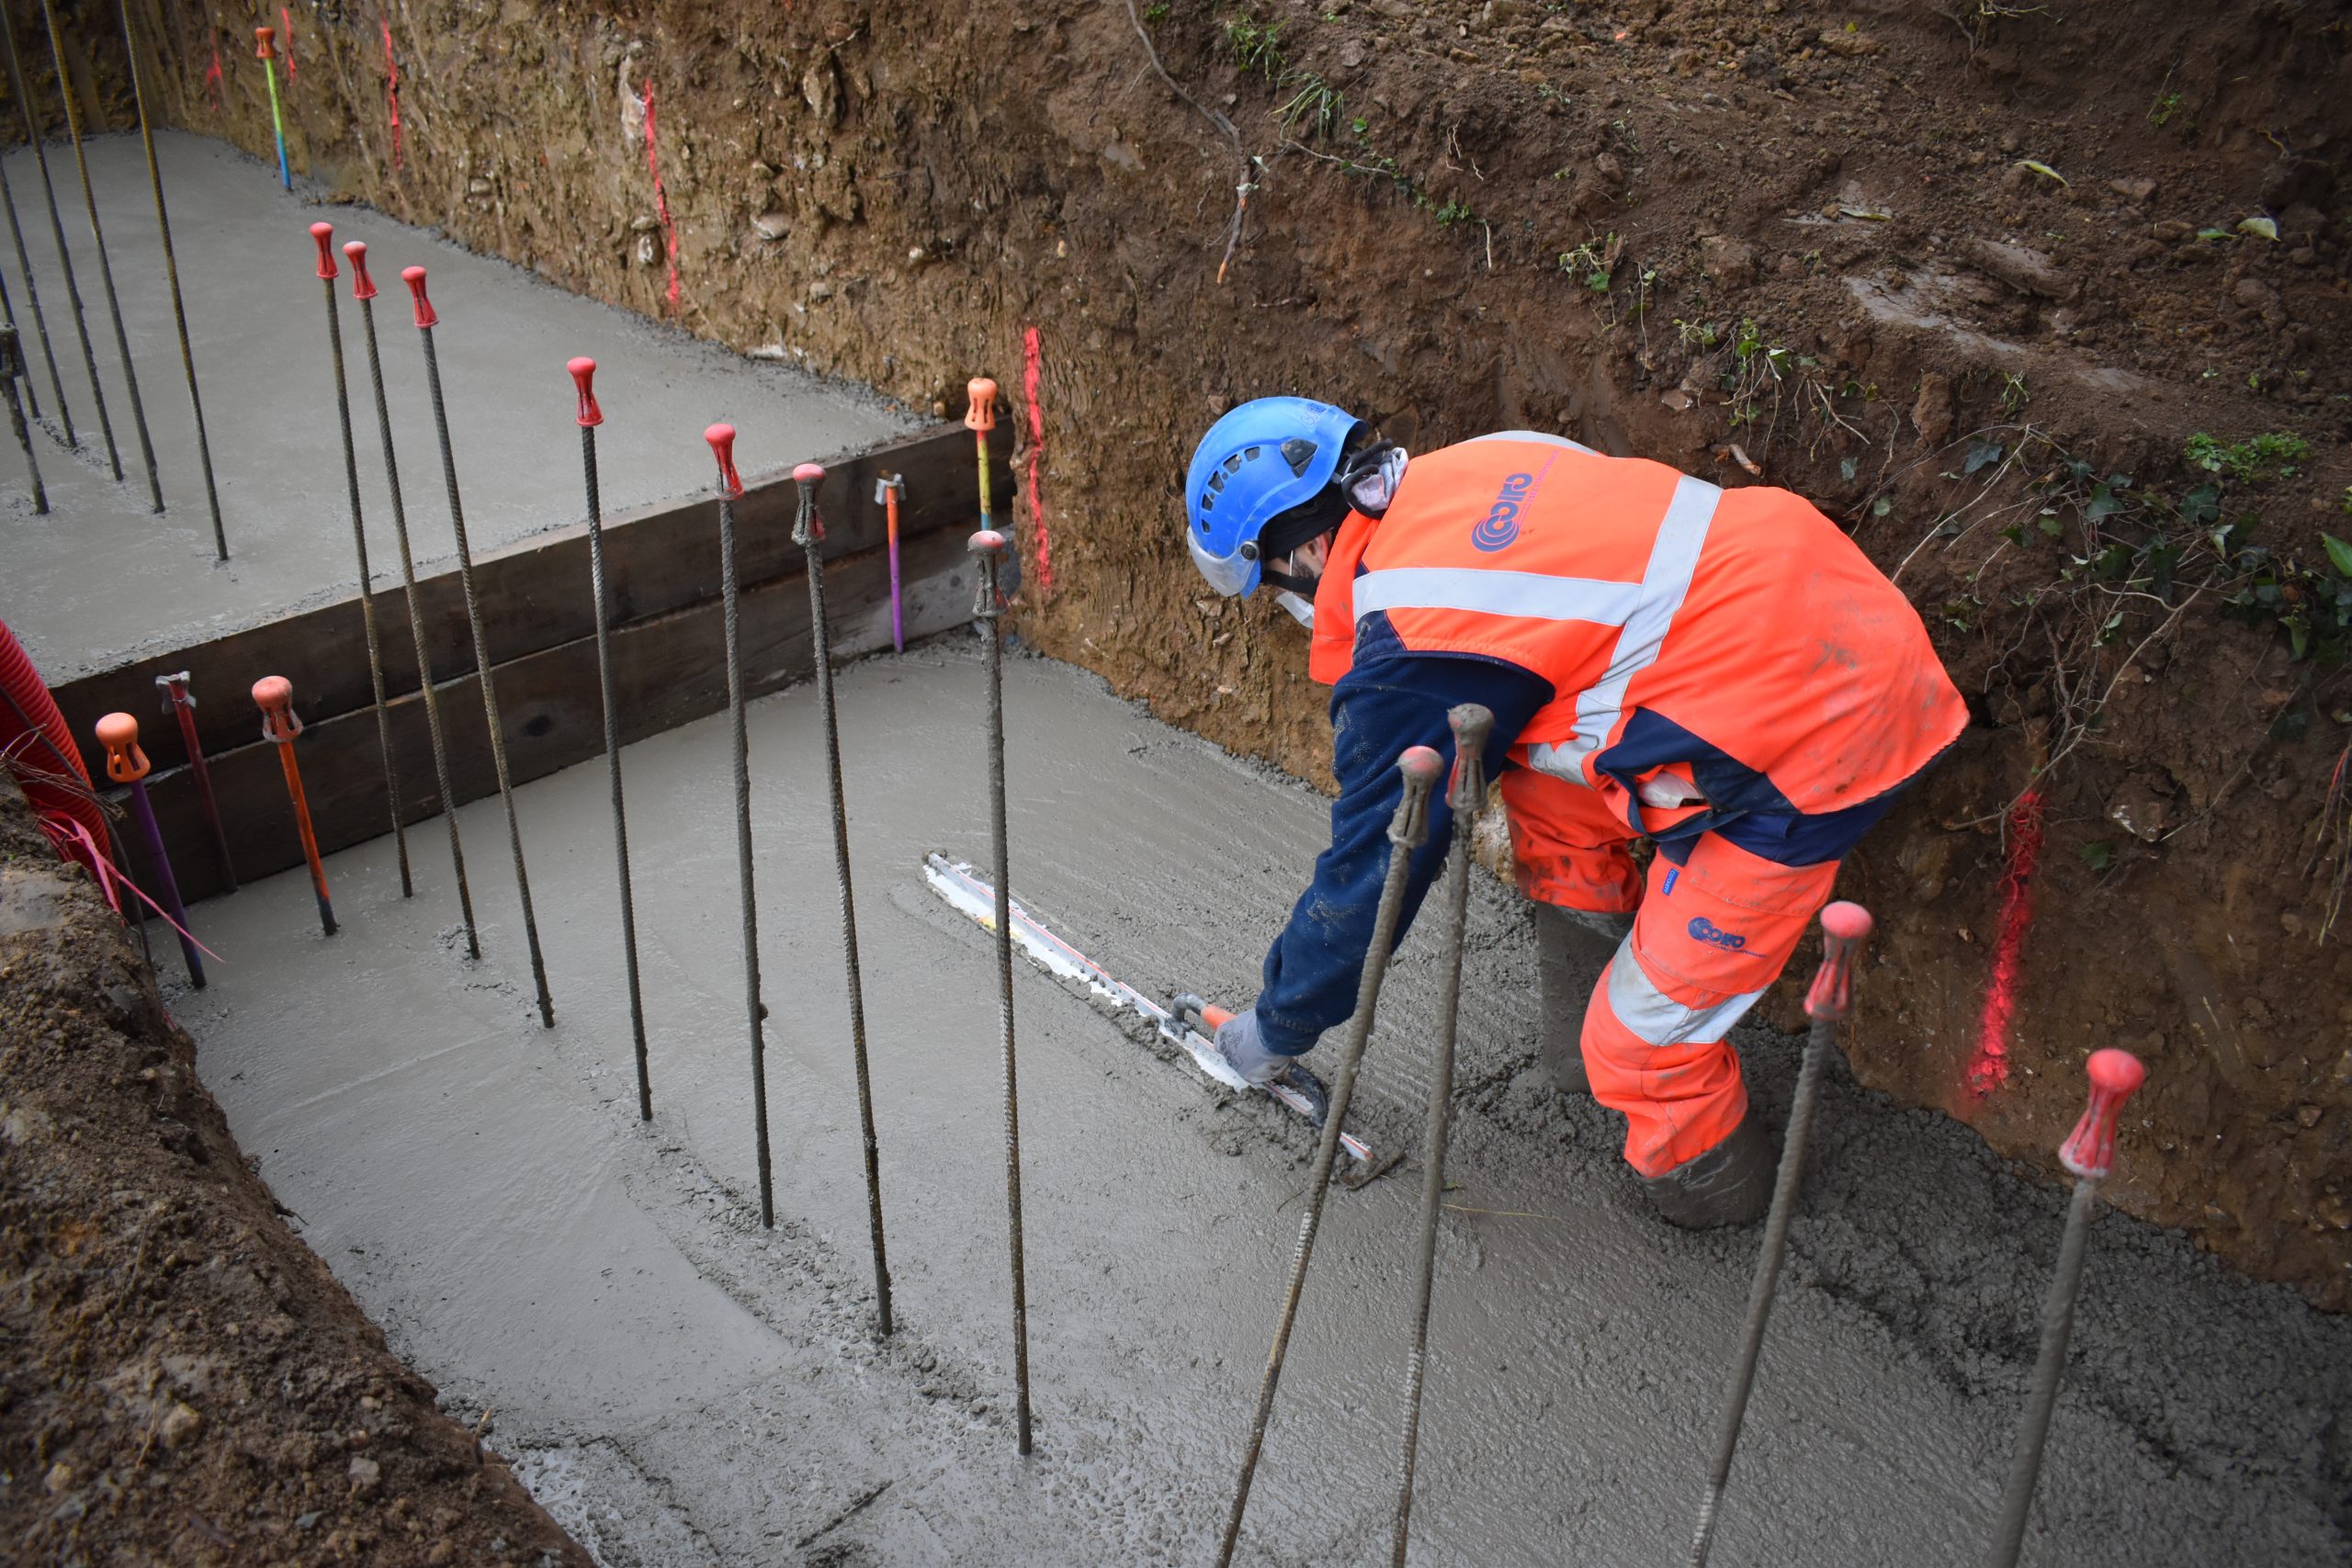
<point>105,577</point>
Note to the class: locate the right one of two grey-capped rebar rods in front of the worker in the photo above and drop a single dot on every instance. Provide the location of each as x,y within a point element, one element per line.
<point>1471,728</point>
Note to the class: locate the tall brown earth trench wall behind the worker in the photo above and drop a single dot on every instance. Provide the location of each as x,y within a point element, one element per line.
<point>1967,276</point>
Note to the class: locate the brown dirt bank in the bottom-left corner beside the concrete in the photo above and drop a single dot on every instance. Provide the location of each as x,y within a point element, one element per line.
<point>185,1381</point>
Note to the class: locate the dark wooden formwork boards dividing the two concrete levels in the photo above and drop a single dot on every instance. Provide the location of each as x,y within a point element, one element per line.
<point>662,570</point>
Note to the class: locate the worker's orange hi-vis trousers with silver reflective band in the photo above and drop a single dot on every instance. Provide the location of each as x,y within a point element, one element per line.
<point>1706,942</point>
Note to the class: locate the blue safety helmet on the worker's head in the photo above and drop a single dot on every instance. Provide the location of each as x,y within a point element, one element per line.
<point>1257,462</point>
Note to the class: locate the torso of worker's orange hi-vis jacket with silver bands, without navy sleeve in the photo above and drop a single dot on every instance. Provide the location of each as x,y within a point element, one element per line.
<point>1713,652</point>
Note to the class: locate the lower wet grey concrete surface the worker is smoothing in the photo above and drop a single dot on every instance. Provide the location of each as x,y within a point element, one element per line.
<point>686,1388</point>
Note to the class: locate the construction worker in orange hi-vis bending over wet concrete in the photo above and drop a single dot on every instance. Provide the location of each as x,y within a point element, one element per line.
<point>1716,671</point>
